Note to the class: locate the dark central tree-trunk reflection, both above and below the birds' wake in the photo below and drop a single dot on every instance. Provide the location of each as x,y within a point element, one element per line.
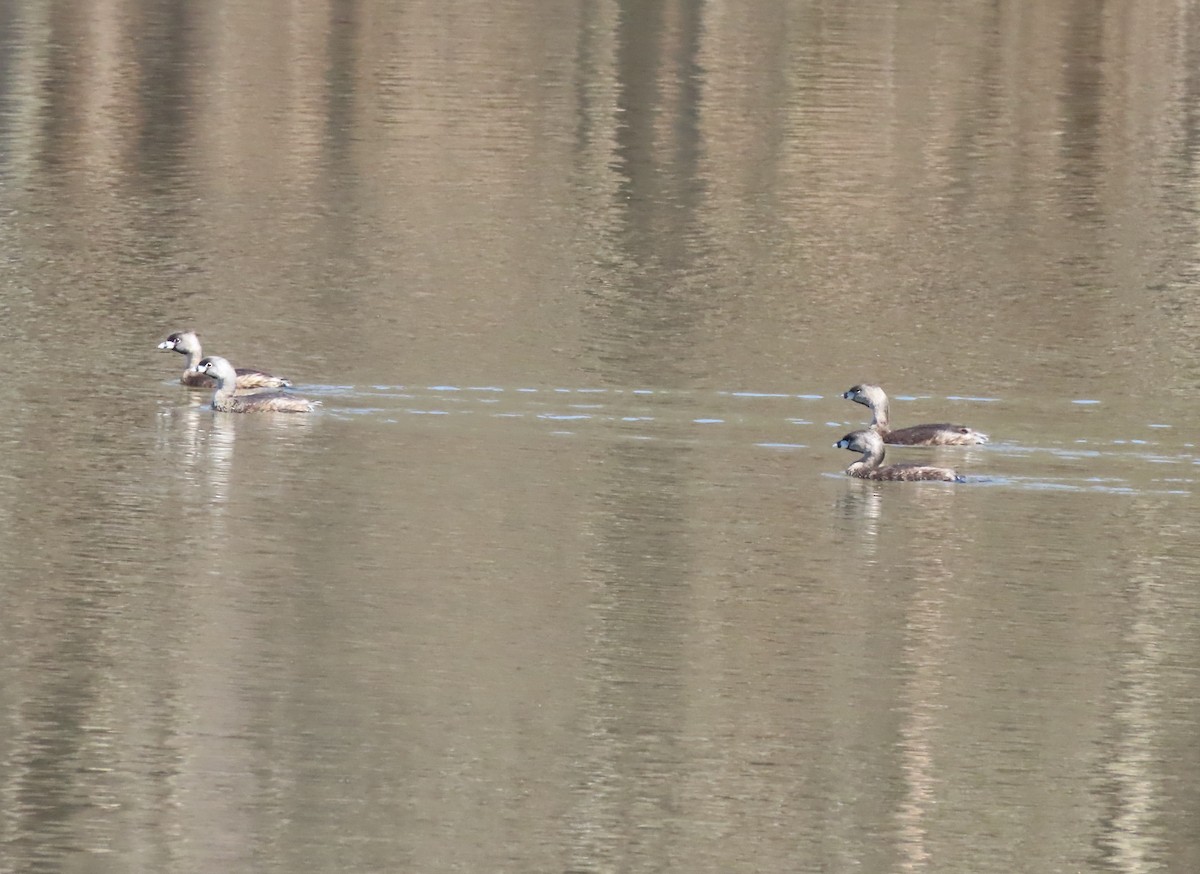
<point>644,326</point>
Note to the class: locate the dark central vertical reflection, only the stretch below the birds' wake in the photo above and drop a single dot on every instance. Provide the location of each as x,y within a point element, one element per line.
<point>641,578</point>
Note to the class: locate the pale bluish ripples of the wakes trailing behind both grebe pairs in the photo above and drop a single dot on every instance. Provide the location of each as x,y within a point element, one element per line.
<point>759,414</point>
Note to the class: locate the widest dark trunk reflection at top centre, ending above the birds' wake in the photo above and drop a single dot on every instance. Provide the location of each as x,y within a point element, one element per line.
<point>649,319</point>
